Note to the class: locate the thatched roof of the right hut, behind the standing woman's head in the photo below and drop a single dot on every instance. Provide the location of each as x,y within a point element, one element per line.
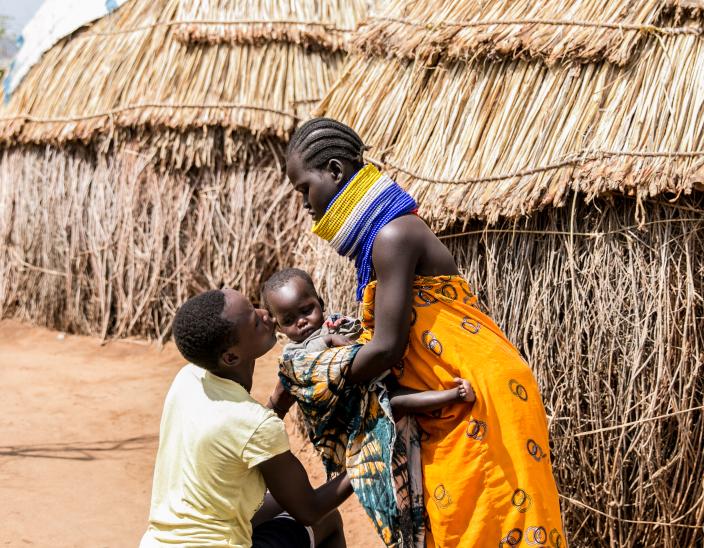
<point>504,137</point>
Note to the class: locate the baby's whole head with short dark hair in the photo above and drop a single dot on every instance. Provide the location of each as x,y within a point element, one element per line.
<point>291,298</point>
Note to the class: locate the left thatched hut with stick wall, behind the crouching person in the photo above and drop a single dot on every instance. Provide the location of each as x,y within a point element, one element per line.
<point>140,158</point>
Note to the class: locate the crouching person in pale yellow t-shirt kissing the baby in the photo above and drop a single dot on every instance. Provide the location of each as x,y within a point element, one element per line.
<point>219,449</point>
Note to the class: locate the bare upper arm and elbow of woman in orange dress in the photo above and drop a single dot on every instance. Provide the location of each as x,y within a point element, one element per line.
<point>395,255</point>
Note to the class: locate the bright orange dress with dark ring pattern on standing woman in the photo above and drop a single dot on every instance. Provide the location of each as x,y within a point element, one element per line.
<point>487,475</point>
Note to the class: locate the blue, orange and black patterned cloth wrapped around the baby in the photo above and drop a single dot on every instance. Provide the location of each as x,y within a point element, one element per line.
<point>352,428</point>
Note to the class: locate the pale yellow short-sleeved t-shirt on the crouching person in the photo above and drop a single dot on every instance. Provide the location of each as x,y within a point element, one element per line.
<point>207,485</point>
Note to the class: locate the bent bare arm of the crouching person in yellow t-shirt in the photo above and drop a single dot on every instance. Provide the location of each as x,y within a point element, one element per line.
<point>288,483</point>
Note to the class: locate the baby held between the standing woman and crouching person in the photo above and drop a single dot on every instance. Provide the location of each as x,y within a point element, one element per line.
<point>294,304</point>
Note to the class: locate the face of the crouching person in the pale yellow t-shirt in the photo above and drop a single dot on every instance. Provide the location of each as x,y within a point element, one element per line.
<point>255,328</point>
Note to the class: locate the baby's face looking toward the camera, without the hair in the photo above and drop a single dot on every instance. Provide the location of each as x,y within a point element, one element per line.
<point>296,309</point>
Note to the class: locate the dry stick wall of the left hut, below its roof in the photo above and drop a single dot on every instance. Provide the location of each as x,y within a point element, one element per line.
<point>106,245</point>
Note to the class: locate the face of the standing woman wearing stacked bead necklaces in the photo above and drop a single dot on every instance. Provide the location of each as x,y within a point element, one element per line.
<point>317,186</point>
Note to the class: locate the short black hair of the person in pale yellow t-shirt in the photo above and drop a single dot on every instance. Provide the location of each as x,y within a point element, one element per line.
<point>200,332</point>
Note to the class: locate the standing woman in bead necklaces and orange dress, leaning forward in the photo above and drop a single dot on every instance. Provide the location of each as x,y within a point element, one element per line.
<point>487,475</point>
